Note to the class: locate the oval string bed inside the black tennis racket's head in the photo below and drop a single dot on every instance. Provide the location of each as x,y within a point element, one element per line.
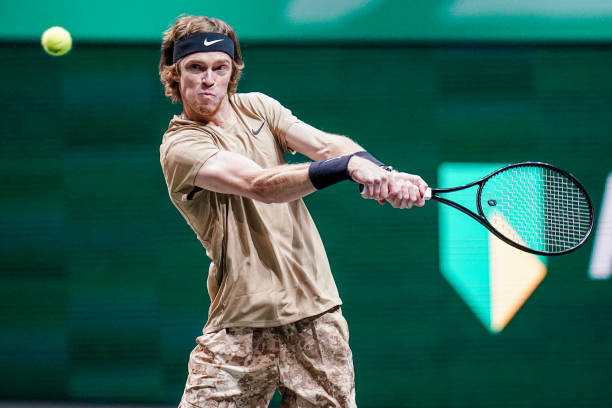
<point>537,207</point>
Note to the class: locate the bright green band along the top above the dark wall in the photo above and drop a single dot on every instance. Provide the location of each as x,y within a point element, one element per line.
<point>320,20</point>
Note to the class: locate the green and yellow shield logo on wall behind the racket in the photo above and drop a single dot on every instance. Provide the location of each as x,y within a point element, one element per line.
<point>492,277</point>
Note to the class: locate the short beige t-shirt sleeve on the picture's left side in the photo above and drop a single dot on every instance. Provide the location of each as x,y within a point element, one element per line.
<point>181,159</point>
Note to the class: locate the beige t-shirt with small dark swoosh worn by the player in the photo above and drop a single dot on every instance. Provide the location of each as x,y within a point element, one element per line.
<point>269,267</point>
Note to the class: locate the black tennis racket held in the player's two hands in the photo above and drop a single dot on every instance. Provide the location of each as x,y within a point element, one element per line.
<point>535,207</point>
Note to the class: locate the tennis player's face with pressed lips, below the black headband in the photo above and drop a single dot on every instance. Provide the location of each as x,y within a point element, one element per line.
<point>203,83</point>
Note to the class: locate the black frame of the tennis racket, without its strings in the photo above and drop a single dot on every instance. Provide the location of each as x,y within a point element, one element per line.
<point>485,223</point>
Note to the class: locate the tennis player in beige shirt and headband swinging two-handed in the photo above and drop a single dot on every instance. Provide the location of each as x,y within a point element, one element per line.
<point>274,320</point>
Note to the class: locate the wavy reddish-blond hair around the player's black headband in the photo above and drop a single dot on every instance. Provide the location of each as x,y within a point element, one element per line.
<point>186,25</point>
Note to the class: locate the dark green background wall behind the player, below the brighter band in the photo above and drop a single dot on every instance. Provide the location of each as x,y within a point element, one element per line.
<point>102,284</point>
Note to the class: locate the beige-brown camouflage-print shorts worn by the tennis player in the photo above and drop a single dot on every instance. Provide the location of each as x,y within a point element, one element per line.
<point>308,361</point>
